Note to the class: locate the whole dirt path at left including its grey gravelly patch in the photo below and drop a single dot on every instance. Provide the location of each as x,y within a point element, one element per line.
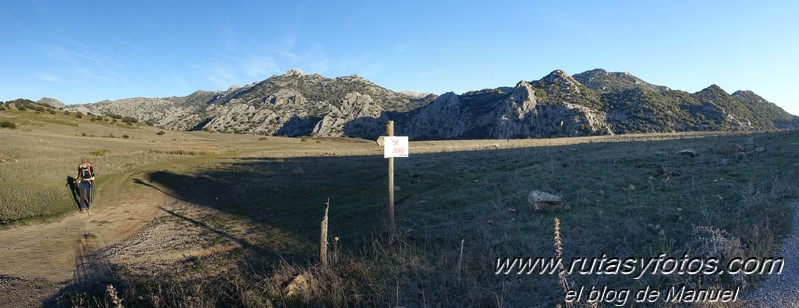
<point>131,222</point>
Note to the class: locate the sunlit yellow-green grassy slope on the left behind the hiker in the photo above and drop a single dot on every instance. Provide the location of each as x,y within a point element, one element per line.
<point>46,145</point>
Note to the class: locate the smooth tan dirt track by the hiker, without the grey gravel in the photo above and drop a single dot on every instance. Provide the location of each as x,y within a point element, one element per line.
<point>53,250</point>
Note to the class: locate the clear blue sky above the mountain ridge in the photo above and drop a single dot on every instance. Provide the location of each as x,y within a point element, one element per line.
<point>86,51</point>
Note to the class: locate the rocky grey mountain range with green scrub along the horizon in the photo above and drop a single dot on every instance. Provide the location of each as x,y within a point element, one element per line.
<point>594,102</point>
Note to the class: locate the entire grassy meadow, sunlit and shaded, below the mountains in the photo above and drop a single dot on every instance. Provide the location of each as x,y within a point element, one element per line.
<point>460,205</point>
